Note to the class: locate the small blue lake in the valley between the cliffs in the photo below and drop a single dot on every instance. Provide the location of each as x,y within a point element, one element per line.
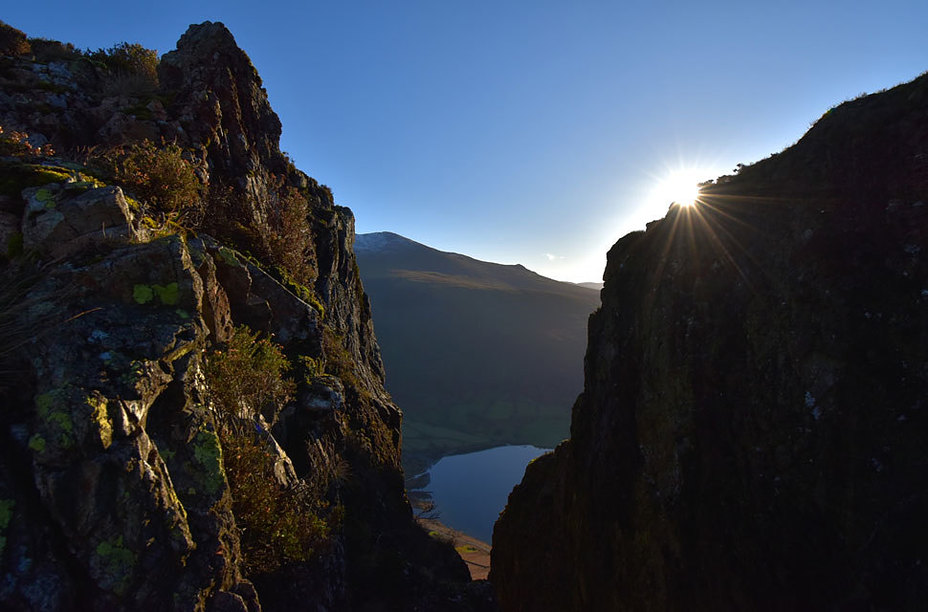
<point>469,491</point>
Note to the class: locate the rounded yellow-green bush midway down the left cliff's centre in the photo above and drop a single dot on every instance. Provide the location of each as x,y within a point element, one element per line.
<point>247,376</point>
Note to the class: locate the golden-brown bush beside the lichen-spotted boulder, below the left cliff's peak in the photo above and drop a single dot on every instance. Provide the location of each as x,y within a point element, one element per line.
<point>160,176</point>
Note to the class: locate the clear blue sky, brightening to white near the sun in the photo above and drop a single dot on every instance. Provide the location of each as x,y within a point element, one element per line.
<point>528,131</point>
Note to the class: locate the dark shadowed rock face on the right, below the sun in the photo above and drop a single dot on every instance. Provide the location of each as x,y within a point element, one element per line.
<point>751,433</point>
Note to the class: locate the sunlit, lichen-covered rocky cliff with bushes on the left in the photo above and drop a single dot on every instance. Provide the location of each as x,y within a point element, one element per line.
<point>194,414</point>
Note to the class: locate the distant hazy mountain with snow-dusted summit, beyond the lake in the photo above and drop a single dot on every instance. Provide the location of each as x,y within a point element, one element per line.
<point>478,354</point>
